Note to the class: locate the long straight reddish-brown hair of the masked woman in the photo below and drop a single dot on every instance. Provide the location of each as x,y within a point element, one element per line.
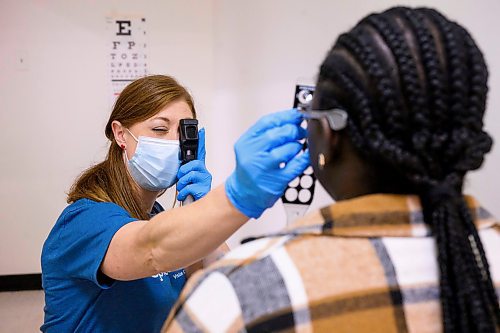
<point>108,181</point>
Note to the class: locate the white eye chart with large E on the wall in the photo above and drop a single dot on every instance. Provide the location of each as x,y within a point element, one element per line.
<point>127,51</point>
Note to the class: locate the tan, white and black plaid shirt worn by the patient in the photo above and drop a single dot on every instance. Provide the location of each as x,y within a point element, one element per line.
<point>361,265</point>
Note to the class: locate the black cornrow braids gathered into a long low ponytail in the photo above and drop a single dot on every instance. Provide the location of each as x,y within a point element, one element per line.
<point>414,85</point>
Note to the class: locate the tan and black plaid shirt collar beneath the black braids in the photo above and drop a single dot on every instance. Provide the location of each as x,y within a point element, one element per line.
<point>379,215</point>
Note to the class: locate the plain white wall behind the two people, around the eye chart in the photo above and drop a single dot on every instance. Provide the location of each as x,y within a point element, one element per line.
<point>240,59</point>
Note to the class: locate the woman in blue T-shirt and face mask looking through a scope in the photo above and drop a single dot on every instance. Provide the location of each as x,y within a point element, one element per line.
<point>102,273</point>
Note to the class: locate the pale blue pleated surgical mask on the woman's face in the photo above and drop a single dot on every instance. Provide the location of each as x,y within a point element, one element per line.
<point>155,163</point>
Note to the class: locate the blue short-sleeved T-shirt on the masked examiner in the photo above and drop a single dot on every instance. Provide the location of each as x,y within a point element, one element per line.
<point>78,297</point>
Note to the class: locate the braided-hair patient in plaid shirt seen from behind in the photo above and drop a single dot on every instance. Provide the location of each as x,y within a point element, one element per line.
<point>395,125</point>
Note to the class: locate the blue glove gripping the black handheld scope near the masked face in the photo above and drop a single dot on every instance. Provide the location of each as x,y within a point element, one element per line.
<point>193,176</point>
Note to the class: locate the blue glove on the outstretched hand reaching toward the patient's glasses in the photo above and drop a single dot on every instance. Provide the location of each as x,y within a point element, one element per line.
<point>258,181</point>
